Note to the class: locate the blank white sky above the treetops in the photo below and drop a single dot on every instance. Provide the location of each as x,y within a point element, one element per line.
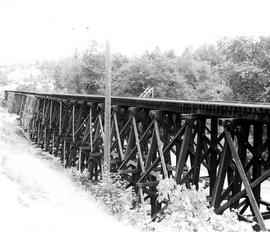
<point>46,29</point>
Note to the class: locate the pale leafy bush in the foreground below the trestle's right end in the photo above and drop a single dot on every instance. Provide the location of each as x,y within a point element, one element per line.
<point>188,210</point>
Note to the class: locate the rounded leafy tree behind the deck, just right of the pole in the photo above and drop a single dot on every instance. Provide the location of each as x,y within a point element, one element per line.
<point>152,69</point>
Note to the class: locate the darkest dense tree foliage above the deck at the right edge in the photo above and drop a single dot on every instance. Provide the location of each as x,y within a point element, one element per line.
<point>246,67</point>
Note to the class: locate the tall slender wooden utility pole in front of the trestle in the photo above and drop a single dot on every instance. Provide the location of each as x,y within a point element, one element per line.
<point>107,119</point>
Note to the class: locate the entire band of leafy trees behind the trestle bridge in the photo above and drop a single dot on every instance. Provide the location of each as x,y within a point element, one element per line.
<point>231,69</point>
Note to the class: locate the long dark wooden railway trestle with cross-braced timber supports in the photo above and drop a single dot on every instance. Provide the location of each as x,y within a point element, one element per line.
<point>226,144</point>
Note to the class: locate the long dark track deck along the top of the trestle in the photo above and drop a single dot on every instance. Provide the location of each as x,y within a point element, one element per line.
<point>250,111</point>
